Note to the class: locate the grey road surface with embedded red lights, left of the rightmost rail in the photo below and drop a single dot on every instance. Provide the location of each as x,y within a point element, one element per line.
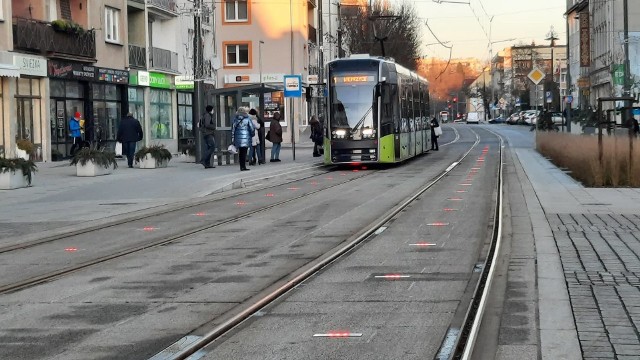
<point>135,306</point>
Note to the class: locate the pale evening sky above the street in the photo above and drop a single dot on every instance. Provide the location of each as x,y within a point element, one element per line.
<point>467,26</point>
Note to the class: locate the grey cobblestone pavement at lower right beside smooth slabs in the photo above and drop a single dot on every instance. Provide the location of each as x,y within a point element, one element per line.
<point>600,254</point>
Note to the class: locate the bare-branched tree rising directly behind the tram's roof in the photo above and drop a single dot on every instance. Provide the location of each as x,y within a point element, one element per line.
<point>400,36</point>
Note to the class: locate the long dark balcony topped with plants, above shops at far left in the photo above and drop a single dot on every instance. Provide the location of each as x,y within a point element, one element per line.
<point>39,37</point>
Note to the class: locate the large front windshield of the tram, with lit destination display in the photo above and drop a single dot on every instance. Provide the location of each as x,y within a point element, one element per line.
<point>352,100</point>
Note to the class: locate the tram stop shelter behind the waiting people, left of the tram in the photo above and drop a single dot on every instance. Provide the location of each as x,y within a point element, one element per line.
<point>226,102</point>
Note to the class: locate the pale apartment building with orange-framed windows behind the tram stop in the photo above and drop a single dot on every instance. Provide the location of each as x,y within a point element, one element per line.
<point>259,43</point>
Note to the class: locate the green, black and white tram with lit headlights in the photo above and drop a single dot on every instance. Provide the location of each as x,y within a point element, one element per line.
<point>378,112</point>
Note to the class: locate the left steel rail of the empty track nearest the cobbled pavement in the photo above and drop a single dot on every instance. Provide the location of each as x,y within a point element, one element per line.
<point>243,315</point>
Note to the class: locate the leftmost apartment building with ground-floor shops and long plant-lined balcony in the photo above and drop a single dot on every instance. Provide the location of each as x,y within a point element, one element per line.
<point>61,57</point>
